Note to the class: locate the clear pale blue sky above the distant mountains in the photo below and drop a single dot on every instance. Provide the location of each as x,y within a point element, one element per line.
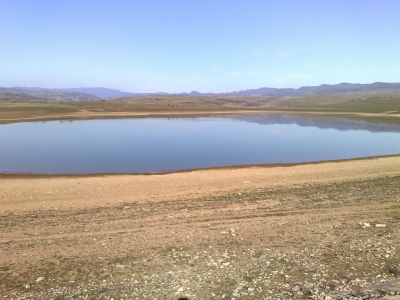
<point>207,45</point>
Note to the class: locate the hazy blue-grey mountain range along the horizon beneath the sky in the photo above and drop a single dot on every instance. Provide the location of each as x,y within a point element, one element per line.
<point>100,93</point>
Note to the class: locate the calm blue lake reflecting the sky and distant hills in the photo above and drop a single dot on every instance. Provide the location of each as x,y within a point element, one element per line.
<point>168,144</point>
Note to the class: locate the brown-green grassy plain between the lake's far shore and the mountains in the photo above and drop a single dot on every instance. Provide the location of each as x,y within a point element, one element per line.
<point>385,107</point>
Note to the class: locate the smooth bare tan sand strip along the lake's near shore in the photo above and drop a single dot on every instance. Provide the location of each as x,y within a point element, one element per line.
<point>26,192</point>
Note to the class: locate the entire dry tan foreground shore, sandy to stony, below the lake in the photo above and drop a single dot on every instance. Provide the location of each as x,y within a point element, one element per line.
<point>280,232</point>
